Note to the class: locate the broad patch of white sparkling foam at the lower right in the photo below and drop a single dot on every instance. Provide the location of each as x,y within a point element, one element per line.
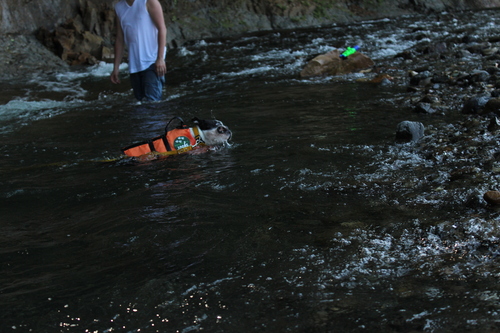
<point>417,251</point>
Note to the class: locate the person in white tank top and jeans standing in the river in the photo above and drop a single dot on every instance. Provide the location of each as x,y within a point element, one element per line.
<point>141,28</point>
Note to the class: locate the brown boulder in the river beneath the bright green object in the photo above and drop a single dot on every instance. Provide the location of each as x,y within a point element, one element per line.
<point>331,64</point>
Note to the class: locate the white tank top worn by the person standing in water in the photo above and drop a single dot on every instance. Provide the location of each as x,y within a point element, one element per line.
<point>140,34</point>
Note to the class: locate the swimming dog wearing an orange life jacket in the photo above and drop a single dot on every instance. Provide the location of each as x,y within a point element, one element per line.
<point>182,139</point>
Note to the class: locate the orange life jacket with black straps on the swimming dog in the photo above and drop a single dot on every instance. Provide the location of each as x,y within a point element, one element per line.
<point>176,141</point>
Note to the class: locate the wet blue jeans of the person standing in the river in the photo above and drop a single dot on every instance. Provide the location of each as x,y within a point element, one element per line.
<point>147,85</point>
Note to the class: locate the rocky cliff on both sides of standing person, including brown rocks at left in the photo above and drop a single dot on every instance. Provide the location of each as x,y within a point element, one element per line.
<point>81,31</point>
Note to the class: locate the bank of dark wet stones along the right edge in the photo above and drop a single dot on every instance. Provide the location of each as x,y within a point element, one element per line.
<point>455,78</point>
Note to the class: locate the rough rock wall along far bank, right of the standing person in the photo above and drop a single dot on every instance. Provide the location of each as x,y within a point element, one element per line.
<point>195,19</point>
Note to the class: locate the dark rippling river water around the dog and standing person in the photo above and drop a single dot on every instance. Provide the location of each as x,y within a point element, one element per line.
<point>311,220</point>
